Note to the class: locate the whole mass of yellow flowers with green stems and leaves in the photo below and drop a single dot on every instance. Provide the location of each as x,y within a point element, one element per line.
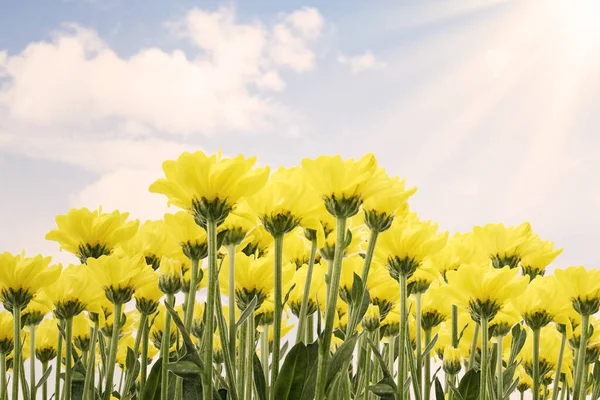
<point>327,256</point>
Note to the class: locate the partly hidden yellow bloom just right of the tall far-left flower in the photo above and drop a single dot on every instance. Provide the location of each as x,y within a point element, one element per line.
<point>154,242</point>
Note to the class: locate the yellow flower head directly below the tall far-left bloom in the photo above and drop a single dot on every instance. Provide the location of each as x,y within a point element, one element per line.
<point>74,292</point>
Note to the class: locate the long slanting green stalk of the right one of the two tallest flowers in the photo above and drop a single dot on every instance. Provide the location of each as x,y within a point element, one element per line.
<point>330,310</point>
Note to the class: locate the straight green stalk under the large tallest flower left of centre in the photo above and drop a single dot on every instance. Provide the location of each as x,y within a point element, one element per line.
<point>207,383</point>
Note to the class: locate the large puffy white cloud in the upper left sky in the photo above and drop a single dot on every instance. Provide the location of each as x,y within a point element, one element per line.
<point>77,81</point>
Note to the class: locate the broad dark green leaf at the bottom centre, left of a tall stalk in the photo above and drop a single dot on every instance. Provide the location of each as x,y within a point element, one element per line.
<point>293,374</point>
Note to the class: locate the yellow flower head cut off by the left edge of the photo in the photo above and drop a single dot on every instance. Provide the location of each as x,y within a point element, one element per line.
<point>22,277</point>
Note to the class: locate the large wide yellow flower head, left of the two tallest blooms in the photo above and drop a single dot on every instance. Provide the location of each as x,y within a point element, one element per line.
<point>196,181</point>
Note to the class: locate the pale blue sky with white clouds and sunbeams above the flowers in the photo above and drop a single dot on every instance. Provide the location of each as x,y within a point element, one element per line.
<point>491,108</point>
